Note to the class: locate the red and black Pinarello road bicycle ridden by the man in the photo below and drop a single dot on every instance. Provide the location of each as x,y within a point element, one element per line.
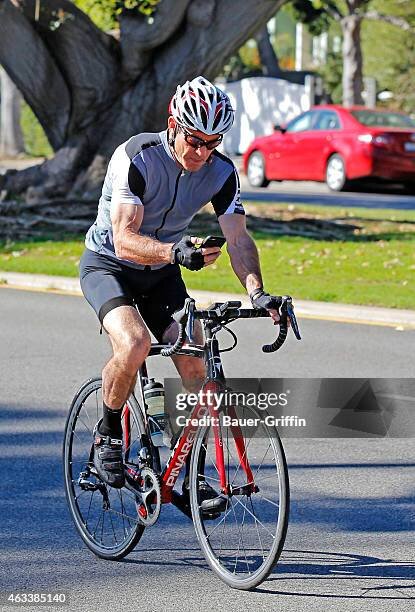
<point>243,461</point>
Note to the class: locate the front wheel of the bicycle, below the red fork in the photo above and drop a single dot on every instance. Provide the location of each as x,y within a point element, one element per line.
<point>244,542</point>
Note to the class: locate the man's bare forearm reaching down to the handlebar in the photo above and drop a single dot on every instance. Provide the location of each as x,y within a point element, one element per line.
<point>242,251</point>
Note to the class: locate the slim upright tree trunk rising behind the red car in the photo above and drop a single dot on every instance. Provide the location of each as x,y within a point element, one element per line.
<point>352,60</point>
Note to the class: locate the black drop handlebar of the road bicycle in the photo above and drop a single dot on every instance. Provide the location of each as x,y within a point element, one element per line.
<point>229,311</point>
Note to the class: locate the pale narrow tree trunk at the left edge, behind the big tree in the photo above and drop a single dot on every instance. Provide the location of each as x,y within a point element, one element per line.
<point>11,137</point>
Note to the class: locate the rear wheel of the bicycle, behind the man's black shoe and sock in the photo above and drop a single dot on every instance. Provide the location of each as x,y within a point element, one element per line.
<point>106,518</point>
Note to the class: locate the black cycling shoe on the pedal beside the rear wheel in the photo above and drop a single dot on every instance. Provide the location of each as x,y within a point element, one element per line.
<point>108,459</point>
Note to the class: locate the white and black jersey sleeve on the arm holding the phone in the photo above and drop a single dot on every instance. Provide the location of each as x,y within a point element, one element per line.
<point>128,184</point>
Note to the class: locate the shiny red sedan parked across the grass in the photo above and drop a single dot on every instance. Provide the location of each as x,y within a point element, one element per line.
<point>334,144</point>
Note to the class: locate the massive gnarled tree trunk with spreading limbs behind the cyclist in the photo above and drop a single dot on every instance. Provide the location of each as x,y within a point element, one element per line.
<point>92,92</point>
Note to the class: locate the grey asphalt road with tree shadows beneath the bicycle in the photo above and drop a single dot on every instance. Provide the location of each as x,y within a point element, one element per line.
<point>350,540</point>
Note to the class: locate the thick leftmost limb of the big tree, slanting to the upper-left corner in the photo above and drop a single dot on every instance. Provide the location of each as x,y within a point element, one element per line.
<point>29,64</point>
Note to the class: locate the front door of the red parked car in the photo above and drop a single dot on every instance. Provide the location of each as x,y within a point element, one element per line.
<point>298,150</point>
